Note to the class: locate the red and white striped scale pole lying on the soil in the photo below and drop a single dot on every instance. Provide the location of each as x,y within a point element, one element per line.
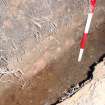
<point>85,35</point>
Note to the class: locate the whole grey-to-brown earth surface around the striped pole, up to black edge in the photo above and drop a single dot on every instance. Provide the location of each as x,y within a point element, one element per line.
<point>52,67</point>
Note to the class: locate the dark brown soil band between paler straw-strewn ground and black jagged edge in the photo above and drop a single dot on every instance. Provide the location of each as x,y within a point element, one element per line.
<point>47,86</point>
